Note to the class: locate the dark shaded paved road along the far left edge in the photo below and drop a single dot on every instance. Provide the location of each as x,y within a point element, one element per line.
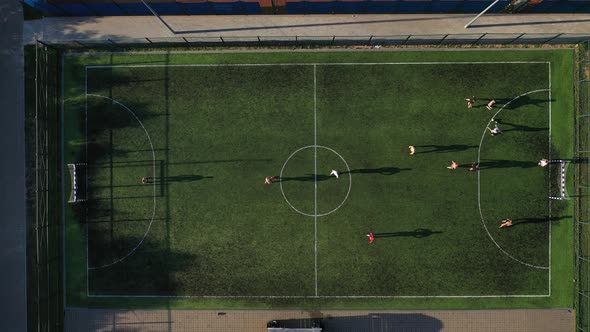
<point>12,171</point>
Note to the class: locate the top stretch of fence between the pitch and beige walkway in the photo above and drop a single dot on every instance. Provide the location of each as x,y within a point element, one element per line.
<point>452,40</point>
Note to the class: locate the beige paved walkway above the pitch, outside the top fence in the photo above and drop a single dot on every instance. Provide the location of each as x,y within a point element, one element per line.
<point>119,27</point>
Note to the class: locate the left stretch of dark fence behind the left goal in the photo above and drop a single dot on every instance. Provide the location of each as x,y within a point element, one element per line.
<point>44,228</point>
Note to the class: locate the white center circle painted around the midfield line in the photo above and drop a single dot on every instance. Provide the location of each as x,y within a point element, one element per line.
<point>315,178</point>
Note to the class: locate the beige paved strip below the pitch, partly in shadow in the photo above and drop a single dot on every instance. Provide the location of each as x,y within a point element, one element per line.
<point>556,320</point>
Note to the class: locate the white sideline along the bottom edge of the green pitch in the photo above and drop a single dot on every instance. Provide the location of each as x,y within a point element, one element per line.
<point>322,297</point>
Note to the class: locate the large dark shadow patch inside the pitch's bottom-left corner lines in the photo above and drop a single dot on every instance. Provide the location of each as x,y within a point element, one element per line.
<point>152,269</point>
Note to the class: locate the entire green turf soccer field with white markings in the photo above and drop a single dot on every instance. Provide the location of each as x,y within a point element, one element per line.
<point>206,129</point>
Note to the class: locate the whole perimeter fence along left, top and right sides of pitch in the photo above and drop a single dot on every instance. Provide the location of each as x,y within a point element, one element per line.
<point>45,233</point>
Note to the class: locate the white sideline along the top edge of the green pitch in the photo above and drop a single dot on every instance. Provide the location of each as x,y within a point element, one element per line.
<point>312,64</point>
